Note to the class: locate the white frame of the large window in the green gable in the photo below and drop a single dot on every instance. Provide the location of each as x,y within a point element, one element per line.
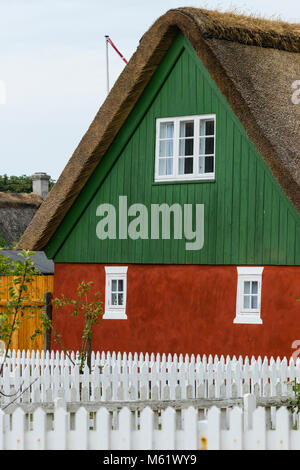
<point>176,176</point>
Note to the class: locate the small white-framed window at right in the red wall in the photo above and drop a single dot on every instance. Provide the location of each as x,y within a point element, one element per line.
<point>248,297</point>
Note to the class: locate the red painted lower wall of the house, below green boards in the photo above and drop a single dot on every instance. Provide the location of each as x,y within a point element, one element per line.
<point>186,309</point>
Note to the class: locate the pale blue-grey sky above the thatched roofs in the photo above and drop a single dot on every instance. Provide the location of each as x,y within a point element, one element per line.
<point>53,68</point>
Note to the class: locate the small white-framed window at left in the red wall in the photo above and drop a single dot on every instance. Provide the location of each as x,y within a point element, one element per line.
<point>115,292</point>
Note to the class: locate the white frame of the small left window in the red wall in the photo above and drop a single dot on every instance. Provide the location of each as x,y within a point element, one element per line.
<point>115,312</point>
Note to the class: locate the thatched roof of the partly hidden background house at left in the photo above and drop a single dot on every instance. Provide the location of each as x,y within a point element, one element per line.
<point>16,213</point>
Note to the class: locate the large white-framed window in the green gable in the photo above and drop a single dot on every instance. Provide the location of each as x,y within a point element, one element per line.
<point>185,148</point>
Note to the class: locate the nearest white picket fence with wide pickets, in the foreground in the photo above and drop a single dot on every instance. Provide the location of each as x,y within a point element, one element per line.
<point>247,427</point>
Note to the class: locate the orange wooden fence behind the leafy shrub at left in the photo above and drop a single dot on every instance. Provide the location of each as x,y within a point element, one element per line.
<point>21,337</point>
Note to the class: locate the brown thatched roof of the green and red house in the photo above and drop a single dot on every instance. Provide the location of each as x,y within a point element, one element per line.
<point>253,62</point>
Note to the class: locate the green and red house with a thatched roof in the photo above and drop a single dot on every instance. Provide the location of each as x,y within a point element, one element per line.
<point>182,201</point>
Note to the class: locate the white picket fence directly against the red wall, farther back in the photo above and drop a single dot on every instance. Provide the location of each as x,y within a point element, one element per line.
<point>42,377</point>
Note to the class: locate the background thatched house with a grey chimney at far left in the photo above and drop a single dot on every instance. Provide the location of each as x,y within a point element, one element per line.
<point>18,209</point>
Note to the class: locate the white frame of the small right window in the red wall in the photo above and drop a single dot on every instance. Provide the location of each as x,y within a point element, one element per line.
<point>250,315</point>
